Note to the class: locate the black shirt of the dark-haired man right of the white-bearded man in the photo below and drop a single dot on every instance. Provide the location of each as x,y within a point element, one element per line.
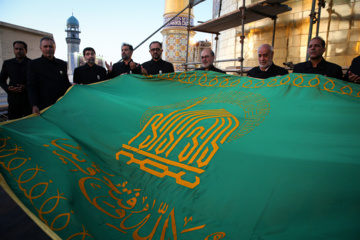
<point>324,68</point>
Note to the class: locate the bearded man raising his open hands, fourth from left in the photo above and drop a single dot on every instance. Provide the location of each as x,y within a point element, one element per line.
<point>126,66</point>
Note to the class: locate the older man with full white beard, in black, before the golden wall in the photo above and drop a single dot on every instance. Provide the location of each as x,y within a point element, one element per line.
<point>266,66</point>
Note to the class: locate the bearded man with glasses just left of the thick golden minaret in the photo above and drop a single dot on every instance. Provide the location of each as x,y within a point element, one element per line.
<point>156,65</point>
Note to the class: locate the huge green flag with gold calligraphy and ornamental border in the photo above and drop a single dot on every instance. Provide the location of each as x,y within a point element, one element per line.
<point>192,155</point>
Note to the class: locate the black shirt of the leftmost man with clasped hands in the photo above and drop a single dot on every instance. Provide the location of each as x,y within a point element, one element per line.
<point>16,71</point>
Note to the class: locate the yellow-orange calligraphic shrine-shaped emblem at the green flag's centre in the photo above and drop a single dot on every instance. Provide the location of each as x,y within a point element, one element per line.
<point>179,140</point>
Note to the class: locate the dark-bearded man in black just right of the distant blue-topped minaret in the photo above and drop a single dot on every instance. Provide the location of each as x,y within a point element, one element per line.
<point>89,72</point>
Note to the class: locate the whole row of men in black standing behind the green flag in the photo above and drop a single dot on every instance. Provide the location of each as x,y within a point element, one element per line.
<point>37,84</point>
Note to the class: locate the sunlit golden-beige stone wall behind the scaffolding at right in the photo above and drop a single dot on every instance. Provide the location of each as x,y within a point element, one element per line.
<point>339,26</point>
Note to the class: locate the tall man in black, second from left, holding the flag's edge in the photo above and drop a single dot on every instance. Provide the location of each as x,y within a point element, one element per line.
<point>47,78</point>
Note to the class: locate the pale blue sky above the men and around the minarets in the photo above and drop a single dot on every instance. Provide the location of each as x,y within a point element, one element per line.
<point>104,25</point>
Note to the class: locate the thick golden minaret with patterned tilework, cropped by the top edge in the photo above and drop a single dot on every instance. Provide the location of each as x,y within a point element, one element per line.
<point>175,33</point>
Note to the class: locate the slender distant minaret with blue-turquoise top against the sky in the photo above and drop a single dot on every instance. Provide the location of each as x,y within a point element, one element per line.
<point>73,41</point>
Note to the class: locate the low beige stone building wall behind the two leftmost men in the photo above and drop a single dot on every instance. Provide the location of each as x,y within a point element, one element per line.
<point>10,33</point>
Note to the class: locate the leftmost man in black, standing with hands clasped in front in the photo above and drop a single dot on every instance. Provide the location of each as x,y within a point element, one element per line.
<point>15,70</point>
